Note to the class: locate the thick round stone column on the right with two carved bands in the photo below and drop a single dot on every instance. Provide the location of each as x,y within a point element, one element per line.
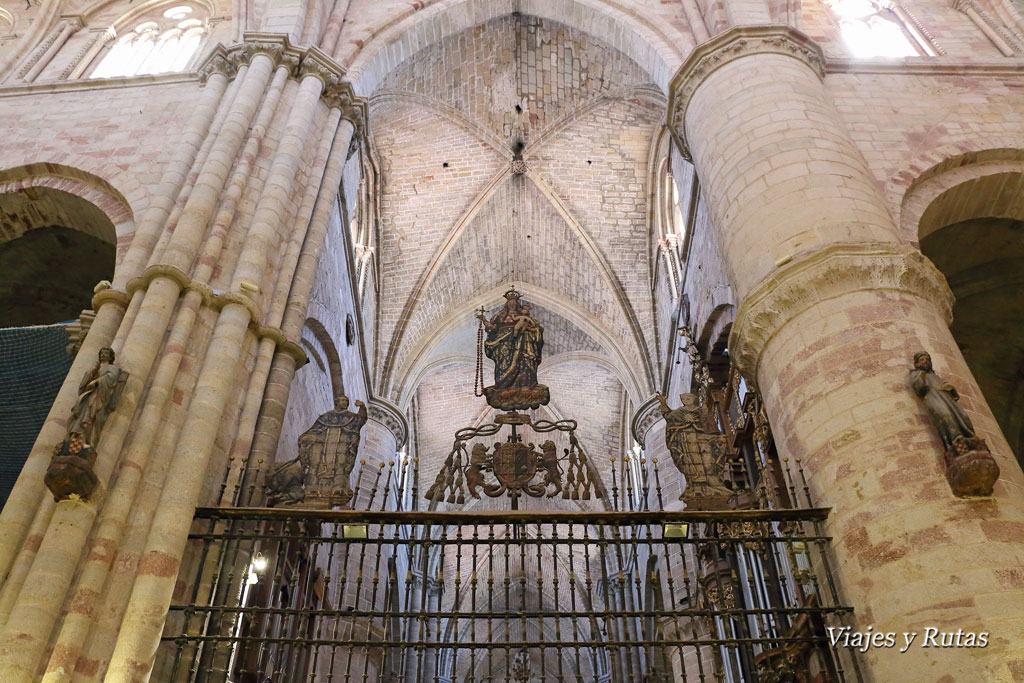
<point>833,310</point>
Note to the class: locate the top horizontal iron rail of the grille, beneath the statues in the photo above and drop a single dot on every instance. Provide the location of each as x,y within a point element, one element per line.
<point>470,519</point>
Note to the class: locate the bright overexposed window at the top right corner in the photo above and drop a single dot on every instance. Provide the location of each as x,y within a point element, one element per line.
<point>878,29</point>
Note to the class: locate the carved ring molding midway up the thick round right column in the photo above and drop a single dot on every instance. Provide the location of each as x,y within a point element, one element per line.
<point>826,274</point>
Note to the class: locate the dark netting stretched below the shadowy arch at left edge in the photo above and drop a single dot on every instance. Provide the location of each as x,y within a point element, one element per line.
<point>33,365</point>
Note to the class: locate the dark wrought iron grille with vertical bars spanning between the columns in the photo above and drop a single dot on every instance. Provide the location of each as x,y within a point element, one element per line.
<point>296,596</point>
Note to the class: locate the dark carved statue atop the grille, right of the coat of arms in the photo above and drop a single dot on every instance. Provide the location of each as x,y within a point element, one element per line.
<point>697,454</point>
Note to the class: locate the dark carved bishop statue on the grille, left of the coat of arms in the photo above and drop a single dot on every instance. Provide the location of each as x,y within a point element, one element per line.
<point>320,476</point>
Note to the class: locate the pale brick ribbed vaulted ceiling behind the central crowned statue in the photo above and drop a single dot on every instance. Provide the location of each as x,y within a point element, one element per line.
<point>458,227</point>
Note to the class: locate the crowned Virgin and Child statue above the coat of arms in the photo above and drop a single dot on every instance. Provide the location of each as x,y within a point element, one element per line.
<point>516,344</point>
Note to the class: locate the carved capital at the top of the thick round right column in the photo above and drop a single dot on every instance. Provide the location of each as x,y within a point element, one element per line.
<point>738,42</point>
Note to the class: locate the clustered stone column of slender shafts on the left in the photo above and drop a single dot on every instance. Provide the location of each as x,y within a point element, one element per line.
<point>161,310</point>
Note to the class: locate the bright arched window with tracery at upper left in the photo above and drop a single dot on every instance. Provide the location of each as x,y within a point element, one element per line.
<point>164,45</point>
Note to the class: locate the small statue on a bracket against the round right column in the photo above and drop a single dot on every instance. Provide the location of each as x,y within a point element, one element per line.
<point>971,471</point>
